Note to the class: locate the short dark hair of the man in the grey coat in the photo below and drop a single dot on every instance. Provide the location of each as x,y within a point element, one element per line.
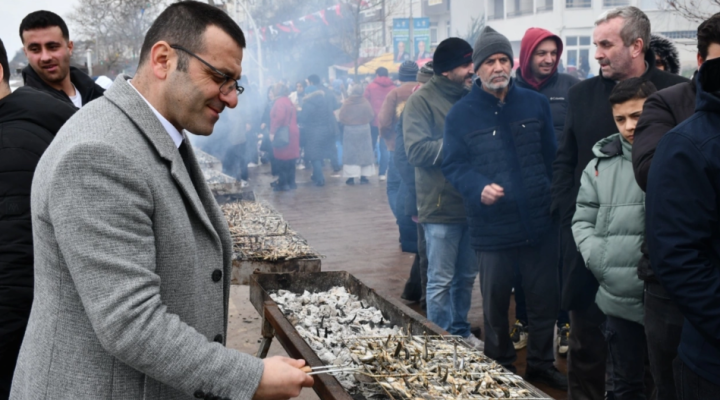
<point>184,24</point>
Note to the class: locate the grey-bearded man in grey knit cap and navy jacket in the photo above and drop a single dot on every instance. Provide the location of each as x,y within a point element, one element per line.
<point>499,149</point>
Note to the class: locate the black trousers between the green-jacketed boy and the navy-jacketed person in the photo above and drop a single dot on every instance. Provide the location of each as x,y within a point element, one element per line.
<point>663,326</point>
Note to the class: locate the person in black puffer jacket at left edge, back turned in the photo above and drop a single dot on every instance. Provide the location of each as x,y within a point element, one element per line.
<point>29,120</point>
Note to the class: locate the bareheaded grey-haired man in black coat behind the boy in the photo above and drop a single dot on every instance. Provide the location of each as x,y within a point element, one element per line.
<point>622,37</point>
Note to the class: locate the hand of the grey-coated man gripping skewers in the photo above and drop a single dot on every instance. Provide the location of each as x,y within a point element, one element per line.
<point>282,379</point>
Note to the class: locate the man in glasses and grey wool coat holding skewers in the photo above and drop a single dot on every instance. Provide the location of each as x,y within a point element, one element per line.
<point>132,253</point>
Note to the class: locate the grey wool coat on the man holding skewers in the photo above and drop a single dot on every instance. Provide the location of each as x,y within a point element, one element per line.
<point>132,267</point>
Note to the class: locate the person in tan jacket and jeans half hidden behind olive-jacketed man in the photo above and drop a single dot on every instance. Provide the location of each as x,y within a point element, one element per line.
<point>387,122</point>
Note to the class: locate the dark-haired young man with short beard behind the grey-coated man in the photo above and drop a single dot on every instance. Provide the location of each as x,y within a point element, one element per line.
<point>47,45</point>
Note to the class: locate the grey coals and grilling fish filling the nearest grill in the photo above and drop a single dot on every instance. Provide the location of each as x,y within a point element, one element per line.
<point>345,331</point>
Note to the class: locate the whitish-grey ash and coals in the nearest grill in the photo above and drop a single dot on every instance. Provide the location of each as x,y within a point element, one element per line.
<point>325,319</point>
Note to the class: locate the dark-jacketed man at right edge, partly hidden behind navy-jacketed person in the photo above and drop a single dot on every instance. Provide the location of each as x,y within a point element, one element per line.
<point>663,111</point>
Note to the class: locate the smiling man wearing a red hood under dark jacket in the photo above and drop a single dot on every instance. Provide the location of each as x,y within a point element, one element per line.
<point>540,53</point>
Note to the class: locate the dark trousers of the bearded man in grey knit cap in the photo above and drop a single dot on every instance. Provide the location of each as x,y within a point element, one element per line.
<point>538,264</point>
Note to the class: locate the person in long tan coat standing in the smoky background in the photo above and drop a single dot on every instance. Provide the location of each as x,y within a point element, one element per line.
<point>358,158</point>
